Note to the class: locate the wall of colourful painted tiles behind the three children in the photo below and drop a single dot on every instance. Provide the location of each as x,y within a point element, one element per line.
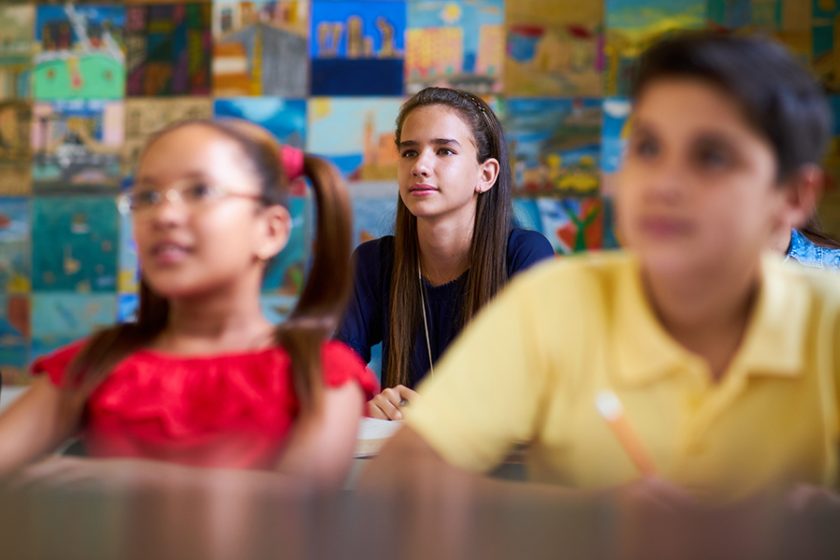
<point>83,85</point>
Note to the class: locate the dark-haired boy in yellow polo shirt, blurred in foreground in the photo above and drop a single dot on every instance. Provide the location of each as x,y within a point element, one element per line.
<point>726,360</point>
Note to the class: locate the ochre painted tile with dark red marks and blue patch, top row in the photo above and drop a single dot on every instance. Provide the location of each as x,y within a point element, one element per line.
<point>554,48</point>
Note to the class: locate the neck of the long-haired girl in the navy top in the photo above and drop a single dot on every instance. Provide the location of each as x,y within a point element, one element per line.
<point>444,249</point>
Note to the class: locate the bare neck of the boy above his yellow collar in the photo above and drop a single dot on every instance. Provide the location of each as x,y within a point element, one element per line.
<point>705,315</point>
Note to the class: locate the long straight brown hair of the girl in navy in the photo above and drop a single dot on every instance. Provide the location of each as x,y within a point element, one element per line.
<point>488,248</point>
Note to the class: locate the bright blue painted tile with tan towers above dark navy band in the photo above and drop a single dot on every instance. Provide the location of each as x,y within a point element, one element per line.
<point>358,48</point>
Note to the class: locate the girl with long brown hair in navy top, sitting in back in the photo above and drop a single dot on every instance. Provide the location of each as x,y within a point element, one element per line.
<point>454,246</point>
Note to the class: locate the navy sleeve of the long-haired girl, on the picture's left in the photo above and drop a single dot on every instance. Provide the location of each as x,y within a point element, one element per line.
<point>360,328</point>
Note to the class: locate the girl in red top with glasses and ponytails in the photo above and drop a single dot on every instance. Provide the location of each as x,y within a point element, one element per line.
<point>202,378</point>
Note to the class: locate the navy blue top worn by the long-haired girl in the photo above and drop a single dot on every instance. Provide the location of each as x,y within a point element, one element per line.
<point>367,319</point>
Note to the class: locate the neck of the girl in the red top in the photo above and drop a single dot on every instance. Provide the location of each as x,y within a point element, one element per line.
<point>219,323</point>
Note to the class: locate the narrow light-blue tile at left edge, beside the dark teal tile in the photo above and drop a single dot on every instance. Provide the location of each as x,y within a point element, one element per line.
<point>14,245</point>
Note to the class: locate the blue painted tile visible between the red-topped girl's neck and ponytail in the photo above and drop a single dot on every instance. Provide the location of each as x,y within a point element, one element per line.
<point>286,272</point>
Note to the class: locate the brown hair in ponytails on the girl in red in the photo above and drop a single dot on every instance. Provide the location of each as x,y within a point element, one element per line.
<point>323,297</point>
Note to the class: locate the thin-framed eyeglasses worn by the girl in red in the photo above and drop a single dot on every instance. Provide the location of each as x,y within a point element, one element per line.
<point>192,193</point>
